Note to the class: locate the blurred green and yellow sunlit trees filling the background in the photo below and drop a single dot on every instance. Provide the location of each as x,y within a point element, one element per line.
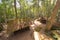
<point>26,9</point>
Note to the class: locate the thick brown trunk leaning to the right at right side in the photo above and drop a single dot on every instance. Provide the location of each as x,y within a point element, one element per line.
<point>53,16</point>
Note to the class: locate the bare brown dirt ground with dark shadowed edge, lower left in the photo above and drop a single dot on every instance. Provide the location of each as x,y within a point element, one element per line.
<point>24,34</point>
